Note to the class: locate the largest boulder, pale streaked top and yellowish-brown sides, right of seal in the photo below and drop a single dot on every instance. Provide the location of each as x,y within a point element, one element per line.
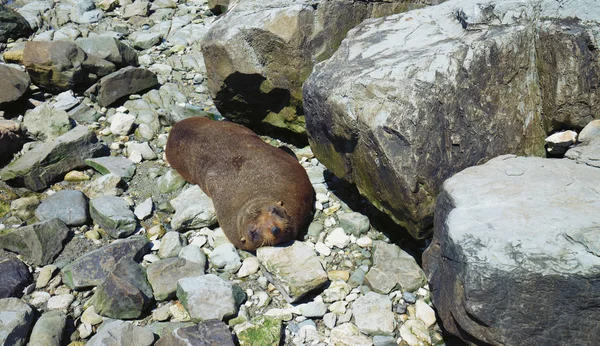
<point>410,99</point>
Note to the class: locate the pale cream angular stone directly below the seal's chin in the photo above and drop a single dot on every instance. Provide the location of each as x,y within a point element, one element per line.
<point>295,270</point>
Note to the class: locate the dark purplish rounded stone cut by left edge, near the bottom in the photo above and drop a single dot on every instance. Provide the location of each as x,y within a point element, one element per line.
<point>15,277</point>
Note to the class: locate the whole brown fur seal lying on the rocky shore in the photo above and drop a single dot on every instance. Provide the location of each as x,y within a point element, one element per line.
<point>261,194</point>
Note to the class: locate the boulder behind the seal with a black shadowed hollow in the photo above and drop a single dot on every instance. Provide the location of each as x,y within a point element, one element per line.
<point>260,53</point>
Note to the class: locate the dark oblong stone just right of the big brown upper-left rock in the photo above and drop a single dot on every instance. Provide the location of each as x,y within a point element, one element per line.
<point>124,82</point>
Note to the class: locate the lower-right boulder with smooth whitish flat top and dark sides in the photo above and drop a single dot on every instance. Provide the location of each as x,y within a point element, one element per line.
<point>515,258</point>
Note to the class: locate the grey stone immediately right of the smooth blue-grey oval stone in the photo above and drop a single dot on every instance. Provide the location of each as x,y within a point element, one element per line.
<point>113,215</point>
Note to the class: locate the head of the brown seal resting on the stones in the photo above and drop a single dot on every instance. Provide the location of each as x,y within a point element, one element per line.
<point>268,226</point>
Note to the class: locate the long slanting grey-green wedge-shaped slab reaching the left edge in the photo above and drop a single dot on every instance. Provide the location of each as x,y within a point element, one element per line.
<point>45,164</point>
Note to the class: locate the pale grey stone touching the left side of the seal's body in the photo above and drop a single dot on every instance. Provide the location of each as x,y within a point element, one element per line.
<point>193,209</point>
